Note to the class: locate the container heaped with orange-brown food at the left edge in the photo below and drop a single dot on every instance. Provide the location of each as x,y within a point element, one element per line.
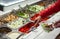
<point>6,18</point>
